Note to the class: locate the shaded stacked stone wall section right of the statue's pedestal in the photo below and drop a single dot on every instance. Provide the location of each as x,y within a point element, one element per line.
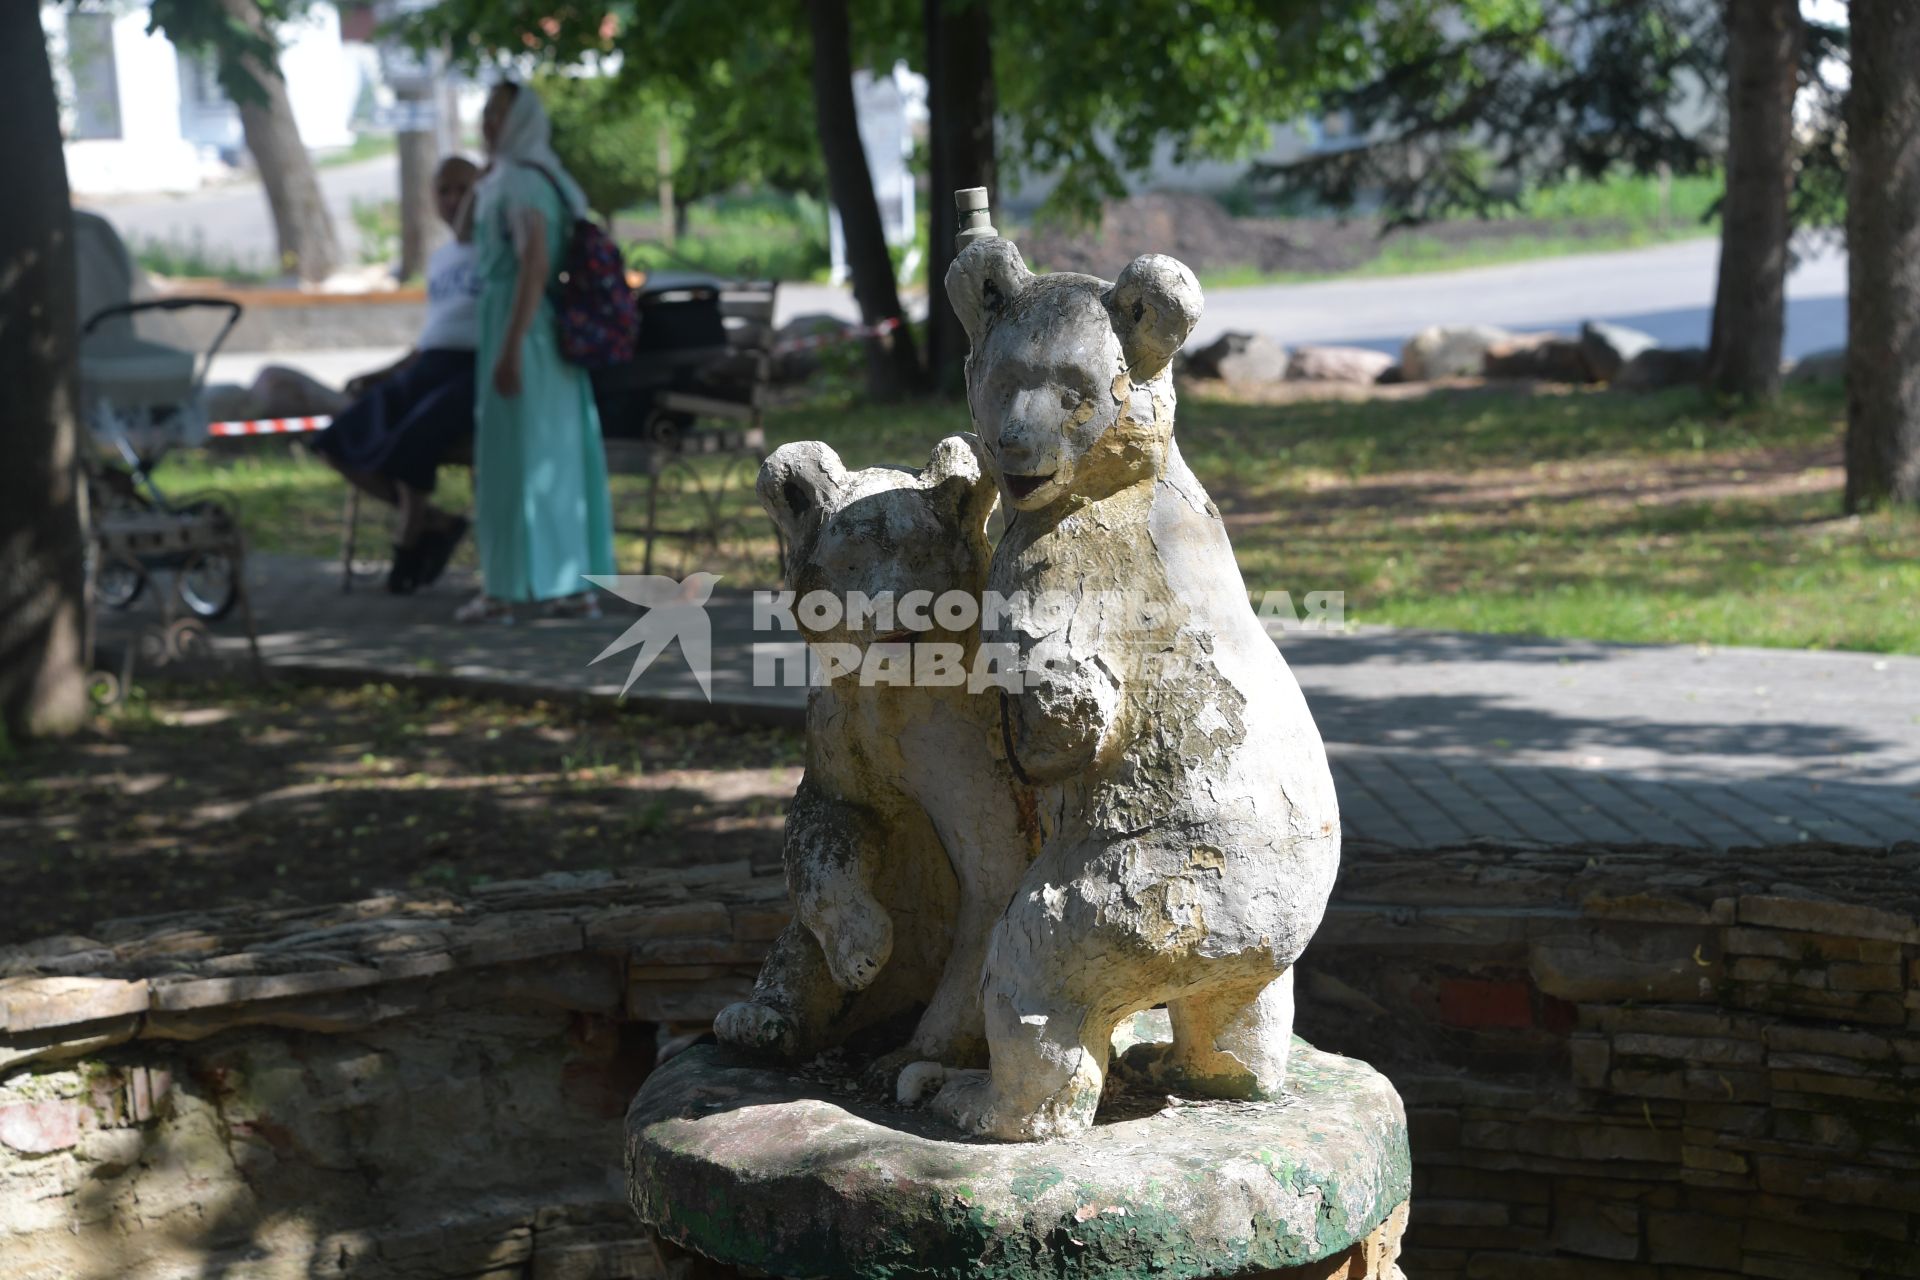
<point>1641,1066</point>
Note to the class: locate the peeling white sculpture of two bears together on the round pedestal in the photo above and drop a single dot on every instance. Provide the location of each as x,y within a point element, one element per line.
<point>1157,765</point>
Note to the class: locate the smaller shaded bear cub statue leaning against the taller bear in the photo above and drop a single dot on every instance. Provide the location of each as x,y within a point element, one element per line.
<point>903,841</point>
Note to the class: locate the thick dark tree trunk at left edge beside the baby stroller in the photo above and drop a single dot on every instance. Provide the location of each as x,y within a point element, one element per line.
<point>43,559</point>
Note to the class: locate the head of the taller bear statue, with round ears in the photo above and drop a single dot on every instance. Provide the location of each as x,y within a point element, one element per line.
<point>1068,377</point>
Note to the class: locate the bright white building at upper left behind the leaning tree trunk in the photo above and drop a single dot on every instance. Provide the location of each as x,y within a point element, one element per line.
<point>141,116</point>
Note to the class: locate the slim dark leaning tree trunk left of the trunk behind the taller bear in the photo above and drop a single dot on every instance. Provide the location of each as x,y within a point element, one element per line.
<point>894,367</point>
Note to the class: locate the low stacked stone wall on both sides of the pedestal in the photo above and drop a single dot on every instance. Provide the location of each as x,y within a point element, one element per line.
<point>1618,1066</point>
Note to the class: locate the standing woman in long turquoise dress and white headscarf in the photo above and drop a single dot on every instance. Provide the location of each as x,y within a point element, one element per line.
<point>542,517</point>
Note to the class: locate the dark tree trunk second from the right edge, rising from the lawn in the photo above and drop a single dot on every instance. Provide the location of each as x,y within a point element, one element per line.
<point>1764,47</point>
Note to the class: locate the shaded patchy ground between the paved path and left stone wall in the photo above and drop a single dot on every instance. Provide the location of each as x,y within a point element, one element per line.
<point>324,795</point>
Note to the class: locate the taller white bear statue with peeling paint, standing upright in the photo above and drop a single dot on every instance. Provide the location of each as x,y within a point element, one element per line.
<point>1188,818</point>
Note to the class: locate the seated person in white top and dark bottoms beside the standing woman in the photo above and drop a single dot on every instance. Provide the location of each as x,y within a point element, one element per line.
<point>406,419</point>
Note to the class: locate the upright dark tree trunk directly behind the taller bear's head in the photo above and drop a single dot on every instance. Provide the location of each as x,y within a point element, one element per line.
<point>961,101</point>
